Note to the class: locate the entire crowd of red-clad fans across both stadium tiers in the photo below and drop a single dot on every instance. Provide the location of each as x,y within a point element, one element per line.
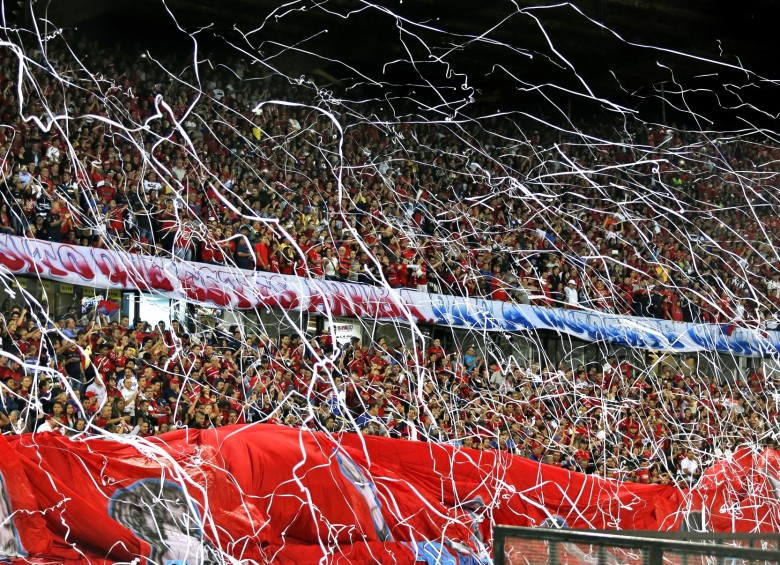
<point>656,222</point>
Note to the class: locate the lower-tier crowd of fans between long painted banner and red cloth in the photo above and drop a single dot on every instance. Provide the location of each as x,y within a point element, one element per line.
<point>655,423</point>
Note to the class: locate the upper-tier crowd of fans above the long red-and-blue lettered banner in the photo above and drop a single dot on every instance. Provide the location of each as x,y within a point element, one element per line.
<point>632,218</point>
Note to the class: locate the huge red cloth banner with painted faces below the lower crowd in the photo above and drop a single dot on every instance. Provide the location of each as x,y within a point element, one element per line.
<point>265,493</point>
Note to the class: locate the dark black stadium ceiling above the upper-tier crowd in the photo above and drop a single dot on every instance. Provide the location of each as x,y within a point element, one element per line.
<point>739,34</point>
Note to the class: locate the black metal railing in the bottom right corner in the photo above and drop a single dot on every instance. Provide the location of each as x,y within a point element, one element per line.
<point>541,546</point>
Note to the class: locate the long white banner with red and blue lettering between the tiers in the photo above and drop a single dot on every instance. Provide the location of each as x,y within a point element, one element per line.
<point>227,287</point>
